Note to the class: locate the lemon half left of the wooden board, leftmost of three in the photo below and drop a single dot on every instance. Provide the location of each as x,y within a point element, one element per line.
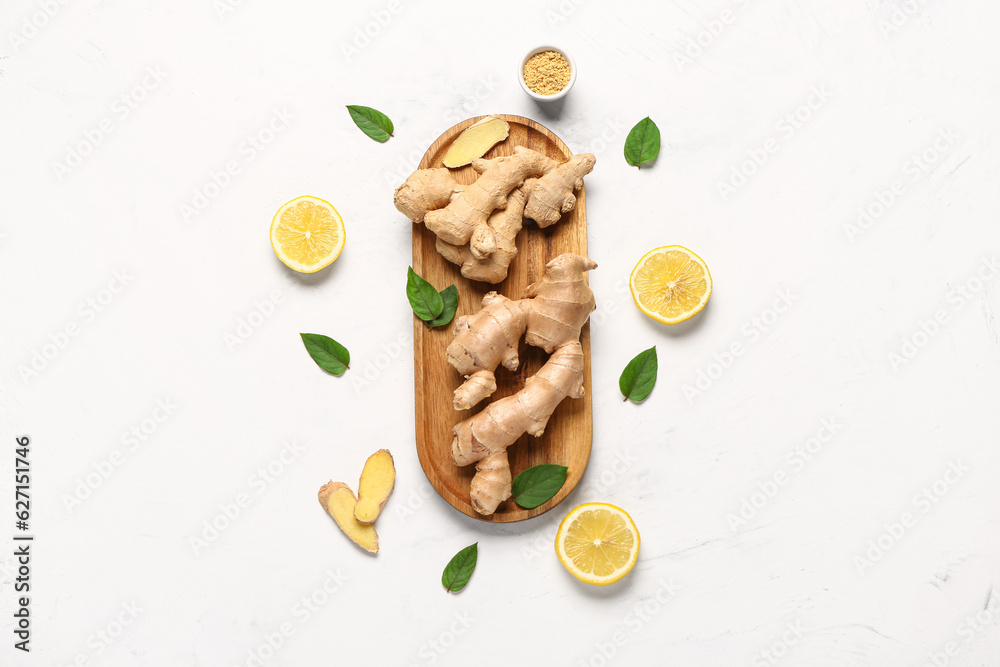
<point>307,234</point>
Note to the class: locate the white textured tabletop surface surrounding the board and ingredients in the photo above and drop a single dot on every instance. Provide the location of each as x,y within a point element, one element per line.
<point>904,96</point>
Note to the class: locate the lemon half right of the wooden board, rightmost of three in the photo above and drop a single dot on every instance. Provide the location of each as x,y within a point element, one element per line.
<point>670,284</point>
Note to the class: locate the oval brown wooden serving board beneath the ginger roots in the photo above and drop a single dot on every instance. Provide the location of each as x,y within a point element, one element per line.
<point>567,437</point>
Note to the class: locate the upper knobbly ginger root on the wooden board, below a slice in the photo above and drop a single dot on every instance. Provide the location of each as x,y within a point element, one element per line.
<point>476,225</point>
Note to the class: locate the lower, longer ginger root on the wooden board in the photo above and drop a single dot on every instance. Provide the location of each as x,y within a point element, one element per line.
<point>550,316</point>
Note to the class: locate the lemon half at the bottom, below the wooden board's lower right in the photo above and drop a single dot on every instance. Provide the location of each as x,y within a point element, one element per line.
<point>598,543</point>
